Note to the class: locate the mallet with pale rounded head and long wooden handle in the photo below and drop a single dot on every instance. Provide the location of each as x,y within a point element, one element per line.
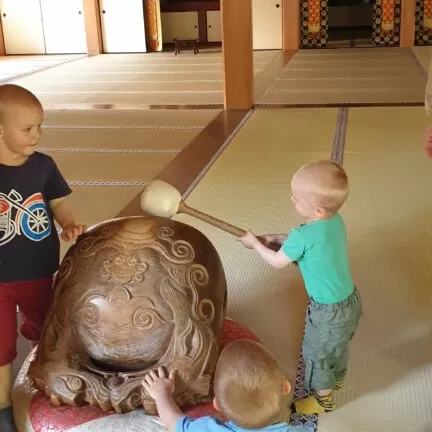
<point>162,199</point>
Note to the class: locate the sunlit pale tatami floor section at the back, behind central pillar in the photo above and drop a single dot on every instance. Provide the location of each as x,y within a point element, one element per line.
<point>137,79</point>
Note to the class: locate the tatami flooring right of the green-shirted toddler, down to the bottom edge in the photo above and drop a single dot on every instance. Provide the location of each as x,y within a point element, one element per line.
<point>388,218</point>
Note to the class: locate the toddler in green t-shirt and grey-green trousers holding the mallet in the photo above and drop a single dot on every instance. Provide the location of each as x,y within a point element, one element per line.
<point>319,247</point>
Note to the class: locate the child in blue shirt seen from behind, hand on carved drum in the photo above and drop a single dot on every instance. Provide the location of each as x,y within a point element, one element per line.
<point>249,390</point>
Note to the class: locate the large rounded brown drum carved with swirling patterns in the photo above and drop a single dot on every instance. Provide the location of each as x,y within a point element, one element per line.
<point>131,295</point>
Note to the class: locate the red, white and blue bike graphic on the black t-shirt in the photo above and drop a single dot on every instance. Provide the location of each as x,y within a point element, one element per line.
<point>31,217</point>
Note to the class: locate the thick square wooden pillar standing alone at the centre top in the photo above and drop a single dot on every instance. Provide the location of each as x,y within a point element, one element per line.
<point>237,52</point>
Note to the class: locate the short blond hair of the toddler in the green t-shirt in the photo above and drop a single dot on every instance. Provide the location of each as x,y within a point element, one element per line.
<point>326,182</point>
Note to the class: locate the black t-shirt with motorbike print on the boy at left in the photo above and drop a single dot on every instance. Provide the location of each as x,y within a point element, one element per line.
<point>29,243</point>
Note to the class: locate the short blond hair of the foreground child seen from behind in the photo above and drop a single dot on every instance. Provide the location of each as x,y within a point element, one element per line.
<point>248,385</point>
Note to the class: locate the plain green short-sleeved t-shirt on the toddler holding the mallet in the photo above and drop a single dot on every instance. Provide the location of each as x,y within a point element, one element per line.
<point>320,249</point>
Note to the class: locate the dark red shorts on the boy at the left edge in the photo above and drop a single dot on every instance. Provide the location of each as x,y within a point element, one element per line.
<point>33,299</point>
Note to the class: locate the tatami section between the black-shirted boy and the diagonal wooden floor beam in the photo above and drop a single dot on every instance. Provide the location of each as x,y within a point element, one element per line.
<point>107,156</point>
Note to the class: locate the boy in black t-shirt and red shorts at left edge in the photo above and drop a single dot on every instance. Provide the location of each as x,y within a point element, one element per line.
<point>32,197</point>
